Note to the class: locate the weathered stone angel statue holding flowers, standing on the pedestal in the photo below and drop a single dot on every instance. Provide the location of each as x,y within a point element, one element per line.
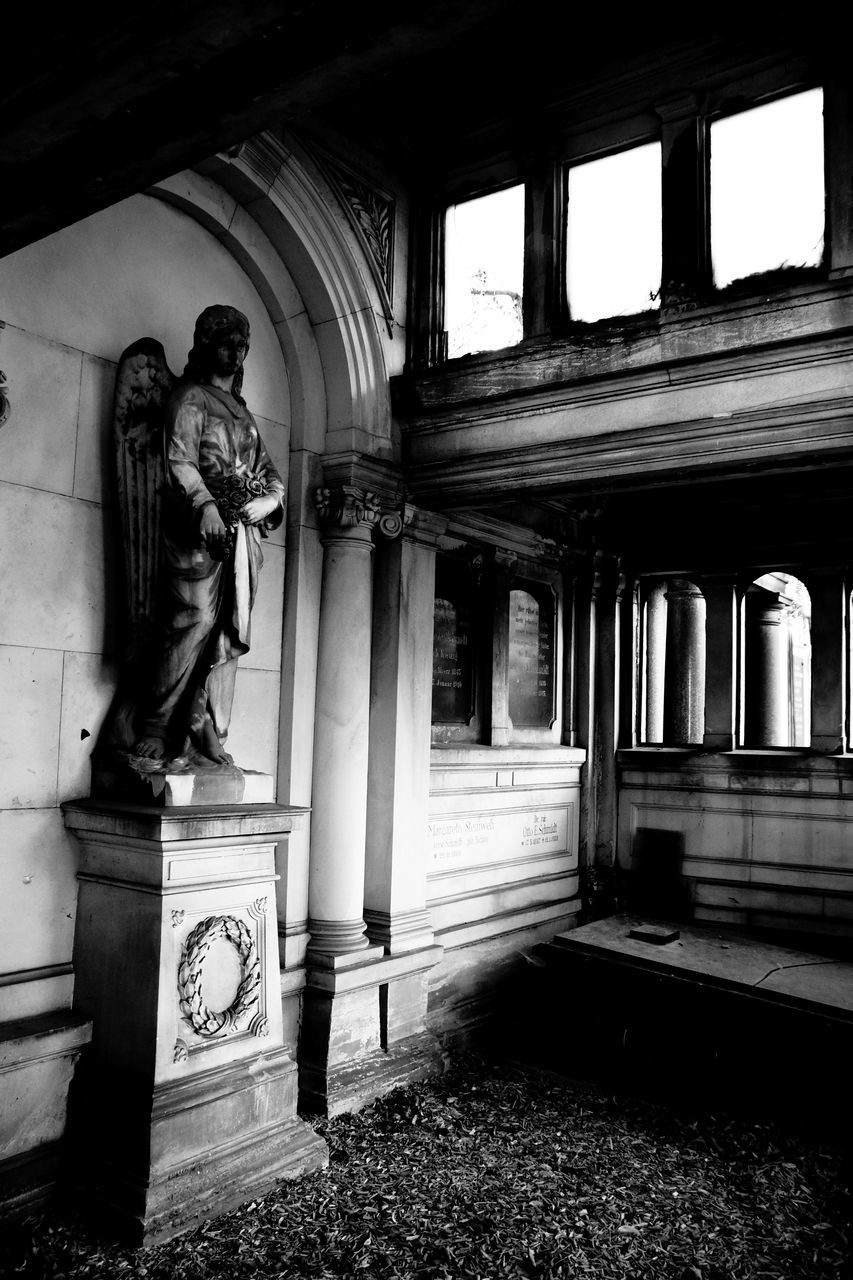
<point>198,493</point>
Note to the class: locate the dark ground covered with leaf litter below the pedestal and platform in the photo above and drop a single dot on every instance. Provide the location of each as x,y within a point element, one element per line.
<point>504,1172</point>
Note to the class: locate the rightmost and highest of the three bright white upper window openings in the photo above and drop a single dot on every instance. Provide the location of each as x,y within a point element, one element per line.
<point>768,188</point>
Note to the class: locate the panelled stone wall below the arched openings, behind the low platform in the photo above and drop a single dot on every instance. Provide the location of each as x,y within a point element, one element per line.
<point>758,840</point>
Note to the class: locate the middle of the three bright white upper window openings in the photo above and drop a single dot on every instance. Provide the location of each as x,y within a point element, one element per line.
<point>614,235</point>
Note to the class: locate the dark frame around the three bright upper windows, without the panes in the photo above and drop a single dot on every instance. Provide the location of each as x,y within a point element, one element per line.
<point>682,124</point>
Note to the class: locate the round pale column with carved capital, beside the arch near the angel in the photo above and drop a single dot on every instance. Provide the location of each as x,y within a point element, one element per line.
<point>340,789</point>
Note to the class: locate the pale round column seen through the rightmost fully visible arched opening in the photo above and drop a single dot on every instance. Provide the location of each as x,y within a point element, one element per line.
<point>767,676</point>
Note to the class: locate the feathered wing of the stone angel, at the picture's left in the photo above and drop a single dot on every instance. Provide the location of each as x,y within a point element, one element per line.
<point>143,387</point>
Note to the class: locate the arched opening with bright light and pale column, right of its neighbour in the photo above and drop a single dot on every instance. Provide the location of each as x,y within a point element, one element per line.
<point>778,662</point>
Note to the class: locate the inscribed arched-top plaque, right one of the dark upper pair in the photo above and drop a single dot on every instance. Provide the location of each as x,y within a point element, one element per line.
<point>532,656</point>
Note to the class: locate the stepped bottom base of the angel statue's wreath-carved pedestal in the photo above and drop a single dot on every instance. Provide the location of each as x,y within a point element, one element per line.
<point>149,1168</point>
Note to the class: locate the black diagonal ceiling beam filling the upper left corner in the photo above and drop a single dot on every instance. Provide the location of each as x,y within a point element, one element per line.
<point>94,108</point>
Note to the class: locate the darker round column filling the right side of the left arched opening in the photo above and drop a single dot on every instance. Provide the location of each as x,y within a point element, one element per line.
<point>685,693</point>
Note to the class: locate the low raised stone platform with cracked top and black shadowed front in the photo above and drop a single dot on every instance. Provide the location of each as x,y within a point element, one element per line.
<point>713,1016</point>
